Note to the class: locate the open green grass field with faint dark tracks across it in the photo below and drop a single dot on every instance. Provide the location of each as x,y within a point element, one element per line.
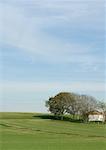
<point>23,131</point>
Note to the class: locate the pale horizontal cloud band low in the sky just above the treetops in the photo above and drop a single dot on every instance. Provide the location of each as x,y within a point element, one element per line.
<point>51,86</point>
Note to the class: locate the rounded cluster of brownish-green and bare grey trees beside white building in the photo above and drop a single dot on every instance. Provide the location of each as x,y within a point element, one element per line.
<point>73,104</point>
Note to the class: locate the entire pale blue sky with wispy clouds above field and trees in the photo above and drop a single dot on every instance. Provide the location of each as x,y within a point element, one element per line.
<point>50,46</point>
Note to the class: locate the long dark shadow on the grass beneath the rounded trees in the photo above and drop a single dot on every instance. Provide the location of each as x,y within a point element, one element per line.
<point>52,117</point>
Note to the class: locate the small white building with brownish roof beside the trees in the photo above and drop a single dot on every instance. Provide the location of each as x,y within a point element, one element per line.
<point>96,116</point>
